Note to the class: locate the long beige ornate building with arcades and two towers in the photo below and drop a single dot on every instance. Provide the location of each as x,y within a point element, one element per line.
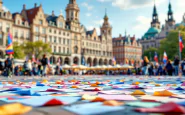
<point>69,40</point>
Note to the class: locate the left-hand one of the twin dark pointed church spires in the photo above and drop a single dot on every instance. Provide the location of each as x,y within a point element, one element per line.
<point>155,20</point>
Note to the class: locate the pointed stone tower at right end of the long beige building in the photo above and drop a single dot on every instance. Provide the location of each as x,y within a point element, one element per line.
<point>106,29</point>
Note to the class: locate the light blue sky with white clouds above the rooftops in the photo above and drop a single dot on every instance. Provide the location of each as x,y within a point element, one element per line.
<point>134,16</point>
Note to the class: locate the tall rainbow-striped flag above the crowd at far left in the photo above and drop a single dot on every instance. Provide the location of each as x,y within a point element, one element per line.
<point>9,48</point>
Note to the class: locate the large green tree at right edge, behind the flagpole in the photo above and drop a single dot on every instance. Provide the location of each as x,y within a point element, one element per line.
<point>171,43</point>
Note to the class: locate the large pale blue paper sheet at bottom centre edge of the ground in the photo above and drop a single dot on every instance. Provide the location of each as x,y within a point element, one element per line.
<point>91,108</point>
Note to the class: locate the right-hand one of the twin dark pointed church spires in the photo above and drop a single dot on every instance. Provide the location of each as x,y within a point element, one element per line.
<point>170,19</point>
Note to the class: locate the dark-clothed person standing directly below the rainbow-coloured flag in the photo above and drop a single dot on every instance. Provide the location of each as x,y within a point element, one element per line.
<point>10,63</point>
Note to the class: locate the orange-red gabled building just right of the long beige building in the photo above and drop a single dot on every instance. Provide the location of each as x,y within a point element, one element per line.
<point>127,50</point>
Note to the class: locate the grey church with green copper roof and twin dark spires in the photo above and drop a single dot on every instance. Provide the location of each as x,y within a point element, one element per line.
<point>155,33</point>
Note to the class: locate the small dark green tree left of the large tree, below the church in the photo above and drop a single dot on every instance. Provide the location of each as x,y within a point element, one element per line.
<point>150,53</point>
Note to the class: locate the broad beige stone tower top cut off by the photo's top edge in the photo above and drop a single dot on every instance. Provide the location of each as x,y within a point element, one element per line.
<point>72,11</point>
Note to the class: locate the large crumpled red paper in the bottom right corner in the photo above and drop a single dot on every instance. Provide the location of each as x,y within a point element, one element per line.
<point>165,108</point>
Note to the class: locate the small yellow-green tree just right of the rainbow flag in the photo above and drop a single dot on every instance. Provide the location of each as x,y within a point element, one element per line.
<point>18,52</point>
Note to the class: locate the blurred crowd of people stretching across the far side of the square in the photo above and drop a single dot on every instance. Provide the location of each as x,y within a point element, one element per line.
<point>42,68</point>
